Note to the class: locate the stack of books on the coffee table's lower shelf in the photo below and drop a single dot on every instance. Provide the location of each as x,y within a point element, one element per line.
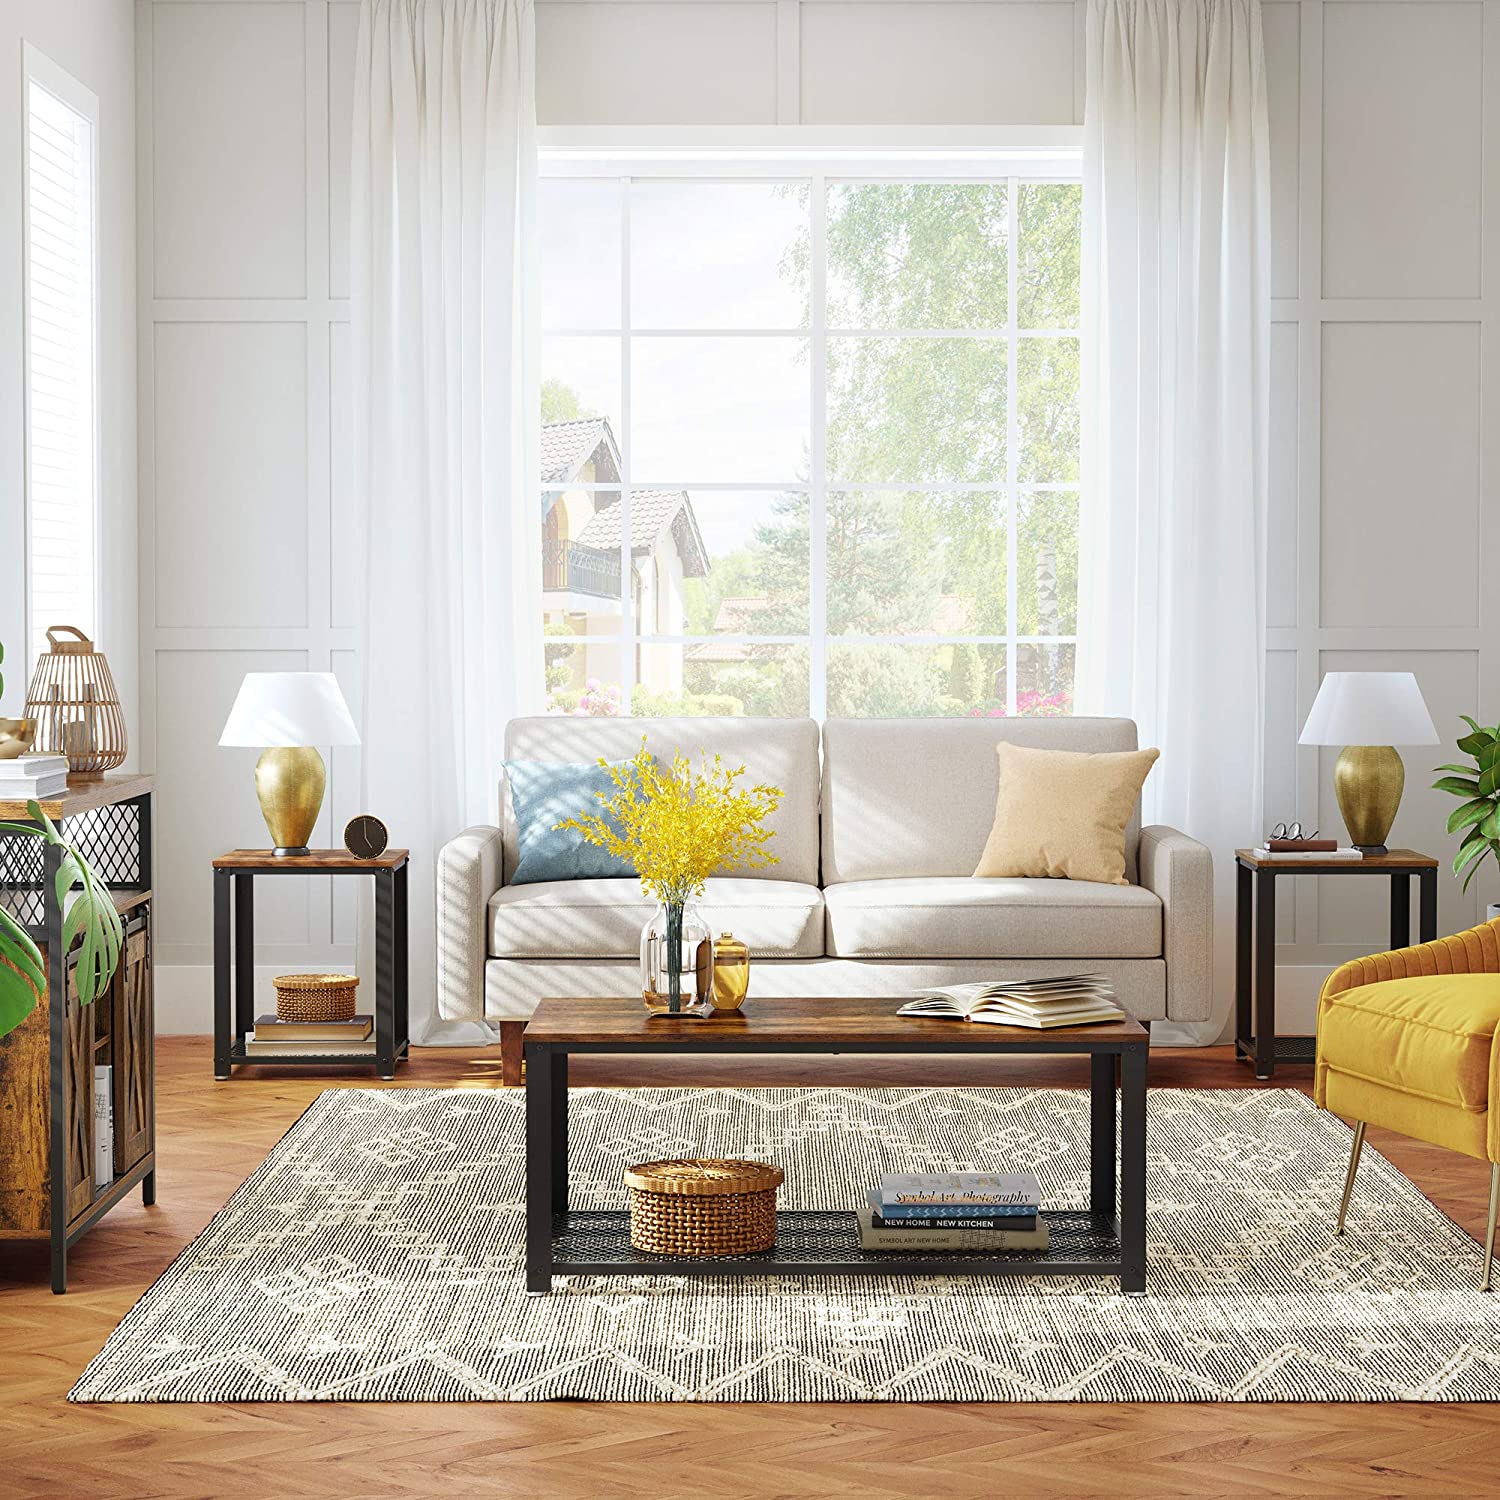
<point>934,1213</point>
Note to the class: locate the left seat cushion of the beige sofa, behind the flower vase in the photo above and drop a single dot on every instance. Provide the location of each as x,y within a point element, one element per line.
<point>604,919</point>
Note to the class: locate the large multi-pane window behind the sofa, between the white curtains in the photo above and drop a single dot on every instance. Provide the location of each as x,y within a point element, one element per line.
<point>811,443</point>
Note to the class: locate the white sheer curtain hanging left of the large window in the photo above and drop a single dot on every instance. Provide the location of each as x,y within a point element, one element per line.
<point>446,422</point>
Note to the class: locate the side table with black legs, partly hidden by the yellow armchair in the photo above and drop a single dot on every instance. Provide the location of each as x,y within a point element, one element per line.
<point>1256,940</point>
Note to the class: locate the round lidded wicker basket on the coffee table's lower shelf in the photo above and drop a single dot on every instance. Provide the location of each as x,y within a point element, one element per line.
<point>703,1208</point>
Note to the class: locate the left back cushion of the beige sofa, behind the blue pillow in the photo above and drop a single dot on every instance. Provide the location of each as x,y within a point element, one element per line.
<point>782,752</point>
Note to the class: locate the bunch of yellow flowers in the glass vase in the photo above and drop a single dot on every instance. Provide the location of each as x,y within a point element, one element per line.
<point>679,826</point>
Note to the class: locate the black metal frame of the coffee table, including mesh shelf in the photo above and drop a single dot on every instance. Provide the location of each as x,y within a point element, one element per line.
<point>1102,1241</point>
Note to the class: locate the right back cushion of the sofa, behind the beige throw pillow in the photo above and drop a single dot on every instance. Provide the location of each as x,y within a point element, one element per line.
<point>916,797</point>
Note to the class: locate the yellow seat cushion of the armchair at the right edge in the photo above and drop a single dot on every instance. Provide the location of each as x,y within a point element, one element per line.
<point>1429,1037</point>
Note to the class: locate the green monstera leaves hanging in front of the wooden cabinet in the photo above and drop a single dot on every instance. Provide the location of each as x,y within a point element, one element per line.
<point>89,919</point>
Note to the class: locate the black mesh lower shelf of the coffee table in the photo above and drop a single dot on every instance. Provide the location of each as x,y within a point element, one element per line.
<point>826,1243</point>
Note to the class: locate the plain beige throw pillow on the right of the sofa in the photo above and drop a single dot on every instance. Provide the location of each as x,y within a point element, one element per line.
<point>1063,814</point>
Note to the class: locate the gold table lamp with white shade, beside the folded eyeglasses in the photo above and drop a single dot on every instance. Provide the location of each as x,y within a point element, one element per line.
<point>1369,713</point>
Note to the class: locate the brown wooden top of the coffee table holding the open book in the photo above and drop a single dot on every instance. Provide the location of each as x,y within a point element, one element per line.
<point>788,1022</point>
